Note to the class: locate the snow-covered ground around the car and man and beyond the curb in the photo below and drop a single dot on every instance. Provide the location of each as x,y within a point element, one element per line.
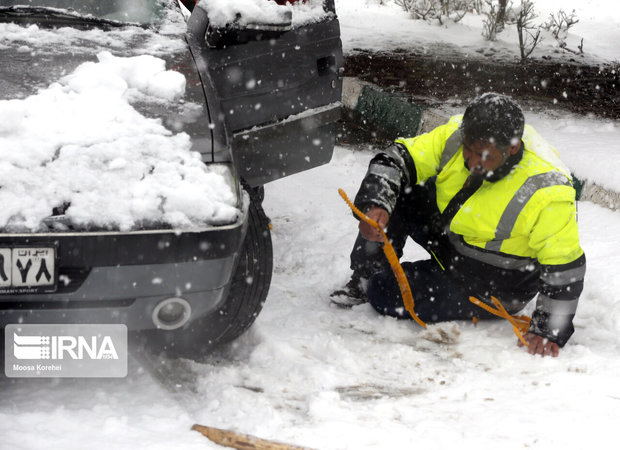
<point>310,374</point>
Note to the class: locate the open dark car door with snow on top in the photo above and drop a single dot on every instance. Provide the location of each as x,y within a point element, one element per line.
<point>273,71</point>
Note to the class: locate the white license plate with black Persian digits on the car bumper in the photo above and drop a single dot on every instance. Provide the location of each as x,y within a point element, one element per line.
<point>27,269</point>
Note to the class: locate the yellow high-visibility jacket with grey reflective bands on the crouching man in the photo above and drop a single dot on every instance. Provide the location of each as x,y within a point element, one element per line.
<point>518,233</point>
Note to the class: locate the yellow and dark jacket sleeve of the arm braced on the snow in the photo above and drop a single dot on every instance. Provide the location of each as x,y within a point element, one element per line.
<point>563,267</point>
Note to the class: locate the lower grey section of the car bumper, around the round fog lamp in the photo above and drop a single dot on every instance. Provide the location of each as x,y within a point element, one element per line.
<point>126,294</point>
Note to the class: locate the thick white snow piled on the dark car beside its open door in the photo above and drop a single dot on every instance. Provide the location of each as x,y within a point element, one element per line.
<point>79,142</point>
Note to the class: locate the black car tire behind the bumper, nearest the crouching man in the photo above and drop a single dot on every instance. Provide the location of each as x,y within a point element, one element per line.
<point>247,294</point>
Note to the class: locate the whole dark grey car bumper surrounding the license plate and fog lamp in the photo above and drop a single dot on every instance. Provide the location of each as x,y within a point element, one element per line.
<point>122,277</point>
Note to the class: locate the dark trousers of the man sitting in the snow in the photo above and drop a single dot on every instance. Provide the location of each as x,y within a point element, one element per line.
<point>437,295</point>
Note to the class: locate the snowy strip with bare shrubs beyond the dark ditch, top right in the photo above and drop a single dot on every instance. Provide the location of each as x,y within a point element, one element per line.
<point>383,25</point>
